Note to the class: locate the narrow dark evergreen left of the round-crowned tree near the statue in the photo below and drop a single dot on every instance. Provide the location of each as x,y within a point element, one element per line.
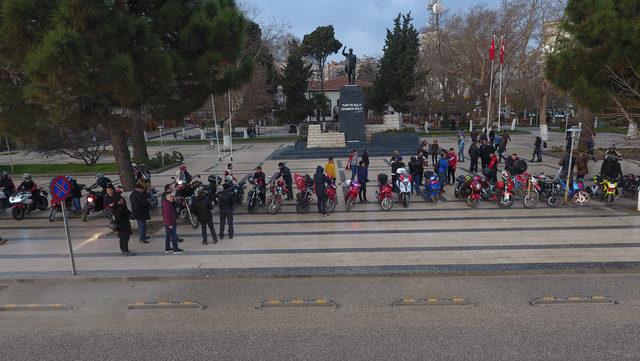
<point>294,81</point>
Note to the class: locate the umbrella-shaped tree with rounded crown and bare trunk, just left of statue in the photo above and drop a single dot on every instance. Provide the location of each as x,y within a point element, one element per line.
<point>318,45</point>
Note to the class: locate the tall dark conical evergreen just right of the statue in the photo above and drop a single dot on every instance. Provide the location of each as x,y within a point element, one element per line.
<point>397,74</point>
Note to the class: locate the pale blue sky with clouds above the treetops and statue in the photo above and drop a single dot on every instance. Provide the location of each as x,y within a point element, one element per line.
<point>359,24</point>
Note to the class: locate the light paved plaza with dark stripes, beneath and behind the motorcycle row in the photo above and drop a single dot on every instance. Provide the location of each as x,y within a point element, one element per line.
<point>426,237</point>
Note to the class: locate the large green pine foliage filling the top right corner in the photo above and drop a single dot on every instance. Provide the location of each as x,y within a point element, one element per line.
<point>597,54</point>
